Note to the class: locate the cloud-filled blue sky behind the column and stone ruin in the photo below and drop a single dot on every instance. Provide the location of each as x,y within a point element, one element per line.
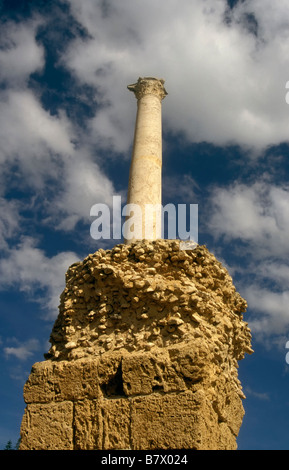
<point>66,131</point>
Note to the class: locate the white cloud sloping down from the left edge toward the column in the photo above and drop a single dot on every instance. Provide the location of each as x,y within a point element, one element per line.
<point>42,147</point>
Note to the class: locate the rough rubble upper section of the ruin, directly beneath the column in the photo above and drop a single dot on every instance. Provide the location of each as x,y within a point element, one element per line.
<point>168,304</point>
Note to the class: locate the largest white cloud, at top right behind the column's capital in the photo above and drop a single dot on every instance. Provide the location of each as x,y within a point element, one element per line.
<point>224,83</point>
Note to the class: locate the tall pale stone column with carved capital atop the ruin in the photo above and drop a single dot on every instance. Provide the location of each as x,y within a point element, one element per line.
<point>145,180</point>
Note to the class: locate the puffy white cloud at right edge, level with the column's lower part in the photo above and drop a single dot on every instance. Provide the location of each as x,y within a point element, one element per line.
<point>257,214</point>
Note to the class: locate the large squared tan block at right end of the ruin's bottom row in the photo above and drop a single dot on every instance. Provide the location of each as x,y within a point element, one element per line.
<point>173,421</point>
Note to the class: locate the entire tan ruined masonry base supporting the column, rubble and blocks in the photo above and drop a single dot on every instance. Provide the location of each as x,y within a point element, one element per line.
<point>144,355</point>
